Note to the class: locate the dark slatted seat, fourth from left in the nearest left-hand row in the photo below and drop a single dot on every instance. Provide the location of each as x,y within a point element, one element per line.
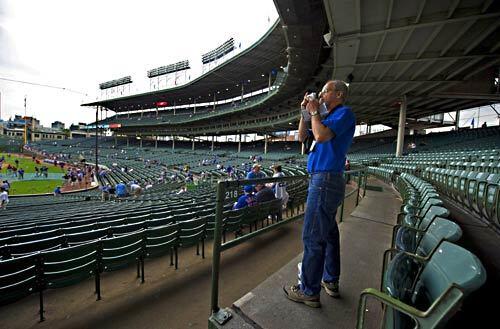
<point>161,240</point>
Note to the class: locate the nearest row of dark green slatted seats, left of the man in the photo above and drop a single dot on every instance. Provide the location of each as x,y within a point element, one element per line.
<point>64,260</point>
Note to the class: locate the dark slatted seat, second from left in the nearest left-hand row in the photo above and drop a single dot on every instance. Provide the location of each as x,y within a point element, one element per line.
<point>64,267</point>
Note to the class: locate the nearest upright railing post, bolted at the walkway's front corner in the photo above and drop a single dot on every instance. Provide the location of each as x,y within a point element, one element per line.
<point>217,314</point>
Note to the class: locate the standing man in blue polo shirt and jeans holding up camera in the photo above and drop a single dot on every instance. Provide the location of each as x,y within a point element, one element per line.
<point>331,135</point>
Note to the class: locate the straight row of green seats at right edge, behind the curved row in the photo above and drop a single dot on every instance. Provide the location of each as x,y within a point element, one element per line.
<point>477,191</point>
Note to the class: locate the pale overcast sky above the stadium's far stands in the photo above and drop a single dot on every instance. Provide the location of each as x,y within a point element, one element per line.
<point>77,44</point>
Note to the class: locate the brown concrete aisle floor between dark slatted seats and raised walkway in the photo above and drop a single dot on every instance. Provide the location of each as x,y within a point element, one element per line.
<point>169,298</point>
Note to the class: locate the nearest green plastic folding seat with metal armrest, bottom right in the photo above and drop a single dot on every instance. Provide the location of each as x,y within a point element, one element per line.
<point>425,293</point>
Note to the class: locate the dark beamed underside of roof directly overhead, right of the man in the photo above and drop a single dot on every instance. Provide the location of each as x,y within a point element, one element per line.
<point>444,55</point>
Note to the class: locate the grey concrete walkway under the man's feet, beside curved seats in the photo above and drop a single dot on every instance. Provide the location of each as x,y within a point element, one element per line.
<point>365,234</point>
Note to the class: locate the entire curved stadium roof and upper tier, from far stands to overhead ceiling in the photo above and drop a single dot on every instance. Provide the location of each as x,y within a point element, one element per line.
<point>443,55</point>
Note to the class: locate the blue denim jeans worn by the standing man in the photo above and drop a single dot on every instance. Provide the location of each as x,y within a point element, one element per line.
<point>320,234</point>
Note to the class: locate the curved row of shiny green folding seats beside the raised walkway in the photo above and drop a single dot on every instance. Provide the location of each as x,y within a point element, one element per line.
<point>425,275</point>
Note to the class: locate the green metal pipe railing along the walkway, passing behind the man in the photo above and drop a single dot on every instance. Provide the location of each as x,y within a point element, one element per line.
<point>221,316</point>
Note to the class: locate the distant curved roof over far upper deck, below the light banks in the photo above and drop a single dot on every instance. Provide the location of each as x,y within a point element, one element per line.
<point>250,67</point>
